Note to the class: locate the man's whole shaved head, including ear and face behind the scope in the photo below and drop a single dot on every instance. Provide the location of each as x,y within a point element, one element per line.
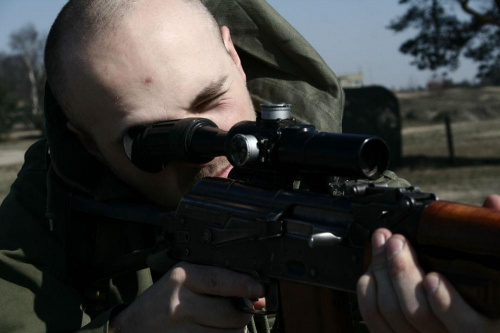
<point>114,65</point>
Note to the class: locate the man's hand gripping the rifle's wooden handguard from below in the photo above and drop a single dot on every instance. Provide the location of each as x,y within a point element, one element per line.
<point>396,295</point>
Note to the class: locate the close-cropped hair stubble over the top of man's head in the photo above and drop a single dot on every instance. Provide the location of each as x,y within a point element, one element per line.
<point>82,23</point>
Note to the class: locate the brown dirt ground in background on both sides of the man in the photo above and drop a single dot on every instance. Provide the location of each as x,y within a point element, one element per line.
<point>475,115</point>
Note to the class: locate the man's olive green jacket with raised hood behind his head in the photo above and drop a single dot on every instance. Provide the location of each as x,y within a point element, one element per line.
<point>41,247</point>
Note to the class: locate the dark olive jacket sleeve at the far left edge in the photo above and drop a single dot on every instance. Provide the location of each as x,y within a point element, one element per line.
<point>36,292</point>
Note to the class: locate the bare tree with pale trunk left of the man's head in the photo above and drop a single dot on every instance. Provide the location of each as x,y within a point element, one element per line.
<point>28,45</point>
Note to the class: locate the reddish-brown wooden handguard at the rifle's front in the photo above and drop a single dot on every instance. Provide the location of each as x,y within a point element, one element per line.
<point>472,235</point>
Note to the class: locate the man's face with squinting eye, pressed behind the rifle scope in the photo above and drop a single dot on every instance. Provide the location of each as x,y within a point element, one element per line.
<point>162,63</point>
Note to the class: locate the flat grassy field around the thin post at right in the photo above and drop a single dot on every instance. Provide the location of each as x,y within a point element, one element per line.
<point>476,169</point>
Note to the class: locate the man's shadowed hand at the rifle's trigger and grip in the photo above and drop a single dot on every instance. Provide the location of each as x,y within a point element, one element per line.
<point>190,298</point>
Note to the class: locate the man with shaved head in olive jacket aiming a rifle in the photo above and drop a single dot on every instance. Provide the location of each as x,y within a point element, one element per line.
<point>113,65</point>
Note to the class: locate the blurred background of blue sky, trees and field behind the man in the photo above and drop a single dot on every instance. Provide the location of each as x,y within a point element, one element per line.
<point>423,74</point>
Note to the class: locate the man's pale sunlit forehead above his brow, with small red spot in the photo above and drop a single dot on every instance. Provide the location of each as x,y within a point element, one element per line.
<point>157,59</point>
